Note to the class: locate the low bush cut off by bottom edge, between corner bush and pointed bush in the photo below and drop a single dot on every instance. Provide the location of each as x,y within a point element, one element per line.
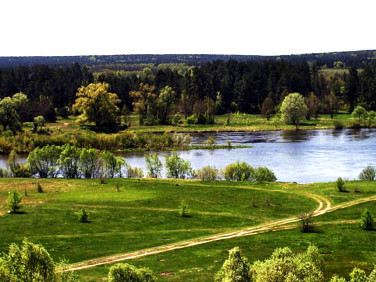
<point>122,272</point>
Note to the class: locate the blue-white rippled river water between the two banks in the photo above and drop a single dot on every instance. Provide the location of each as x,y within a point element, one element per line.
<point>303,156</point>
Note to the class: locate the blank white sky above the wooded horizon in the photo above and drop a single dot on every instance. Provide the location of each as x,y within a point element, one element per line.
<point>108,27</point>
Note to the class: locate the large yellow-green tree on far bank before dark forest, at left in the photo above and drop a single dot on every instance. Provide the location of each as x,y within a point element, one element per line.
<point>97,105</point>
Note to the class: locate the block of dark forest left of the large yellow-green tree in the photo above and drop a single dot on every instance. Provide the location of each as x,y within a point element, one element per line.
<point>46,87</point>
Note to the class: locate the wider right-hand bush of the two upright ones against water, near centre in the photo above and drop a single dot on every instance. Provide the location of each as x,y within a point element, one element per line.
<point>176,167</point>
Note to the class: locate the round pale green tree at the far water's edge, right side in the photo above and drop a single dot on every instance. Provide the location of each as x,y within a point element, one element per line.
<point>293,109</point>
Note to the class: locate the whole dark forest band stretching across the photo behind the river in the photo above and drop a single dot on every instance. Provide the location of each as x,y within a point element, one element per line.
<point>227,86</point>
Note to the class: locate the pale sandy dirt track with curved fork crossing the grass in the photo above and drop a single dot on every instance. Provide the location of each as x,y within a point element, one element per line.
<point>325,206</point>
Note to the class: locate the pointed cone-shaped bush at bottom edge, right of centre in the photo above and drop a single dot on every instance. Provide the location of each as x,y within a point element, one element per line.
<point>234,269</point>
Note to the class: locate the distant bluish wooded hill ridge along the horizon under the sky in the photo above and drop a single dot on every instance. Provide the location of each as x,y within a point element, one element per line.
<point>357,58</point>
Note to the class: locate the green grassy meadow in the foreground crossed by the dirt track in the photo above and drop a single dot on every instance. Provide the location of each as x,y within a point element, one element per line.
<point>145,214</point>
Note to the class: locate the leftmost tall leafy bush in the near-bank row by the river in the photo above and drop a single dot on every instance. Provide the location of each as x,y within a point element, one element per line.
<point>43,161</point>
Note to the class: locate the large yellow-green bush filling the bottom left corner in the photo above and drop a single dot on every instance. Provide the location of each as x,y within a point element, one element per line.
<point>28,262</point>
